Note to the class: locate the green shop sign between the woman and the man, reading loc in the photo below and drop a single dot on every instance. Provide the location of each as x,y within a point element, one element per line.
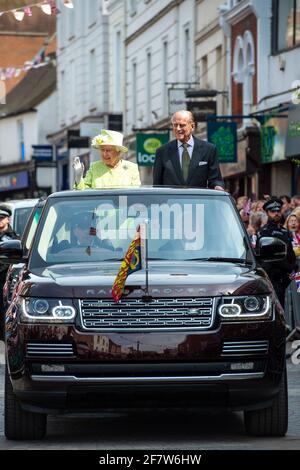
<point>146,146</point>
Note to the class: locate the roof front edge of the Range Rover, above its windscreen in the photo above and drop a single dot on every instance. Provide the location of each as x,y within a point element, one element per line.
<point>138,190</point>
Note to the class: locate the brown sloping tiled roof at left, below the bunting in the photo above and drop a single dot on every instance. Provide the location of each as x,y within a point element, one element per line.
<point>36,86</point>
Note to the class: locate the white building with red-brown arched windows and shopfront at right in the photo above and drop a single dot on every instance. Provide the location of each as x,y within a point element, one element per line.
<point>262,56</point>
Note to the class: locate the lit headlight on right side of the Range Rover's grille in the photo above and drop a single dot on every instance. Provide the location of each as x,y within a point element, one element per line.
<point>250,307</point>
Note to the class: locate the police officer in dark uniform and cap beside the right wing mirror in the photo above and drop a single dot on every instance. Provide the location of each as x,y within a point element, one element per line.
<point>278,271</point>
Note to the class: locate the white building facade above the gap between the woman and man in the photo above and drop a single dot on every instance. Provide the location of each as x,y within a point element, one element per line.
<point>160,53</point>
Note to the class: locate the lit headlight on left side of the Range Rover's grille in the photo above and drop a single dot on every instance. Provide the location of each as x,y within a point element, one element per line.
<point>40,309</point>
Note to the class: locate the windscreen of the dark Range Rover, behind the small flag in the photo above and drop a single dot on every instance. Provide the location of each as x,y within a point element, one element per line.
<point>99,229</point>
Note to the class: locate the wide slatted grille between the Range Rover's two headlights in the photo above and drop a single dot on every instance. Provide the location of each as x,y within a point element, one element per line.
<point>159,313</point>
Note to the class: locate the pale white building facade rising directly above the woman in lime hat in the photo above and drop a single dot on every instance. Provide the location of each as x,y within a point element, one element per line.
<point>90,59</point>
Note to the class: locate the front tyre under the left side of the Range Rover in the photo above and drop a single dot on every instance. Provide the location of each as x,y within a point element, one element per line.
<point>20,424</point>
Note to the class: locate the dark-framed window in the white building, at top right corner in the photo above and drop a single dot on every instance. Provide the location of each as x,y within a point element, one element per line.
<point>286,24</point>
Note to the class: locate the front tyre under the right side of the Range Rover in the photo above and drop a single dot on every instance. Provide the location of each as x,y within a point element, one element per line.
<point>272,421</point>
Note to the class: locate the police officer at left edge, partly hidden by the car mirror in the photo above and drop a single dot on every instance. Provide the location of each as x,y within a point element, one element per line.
<point>6,233</point>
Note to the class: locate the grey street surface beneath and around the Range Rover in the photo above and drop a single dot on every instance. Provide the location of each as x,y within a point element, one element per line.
<point>165,430</point>
